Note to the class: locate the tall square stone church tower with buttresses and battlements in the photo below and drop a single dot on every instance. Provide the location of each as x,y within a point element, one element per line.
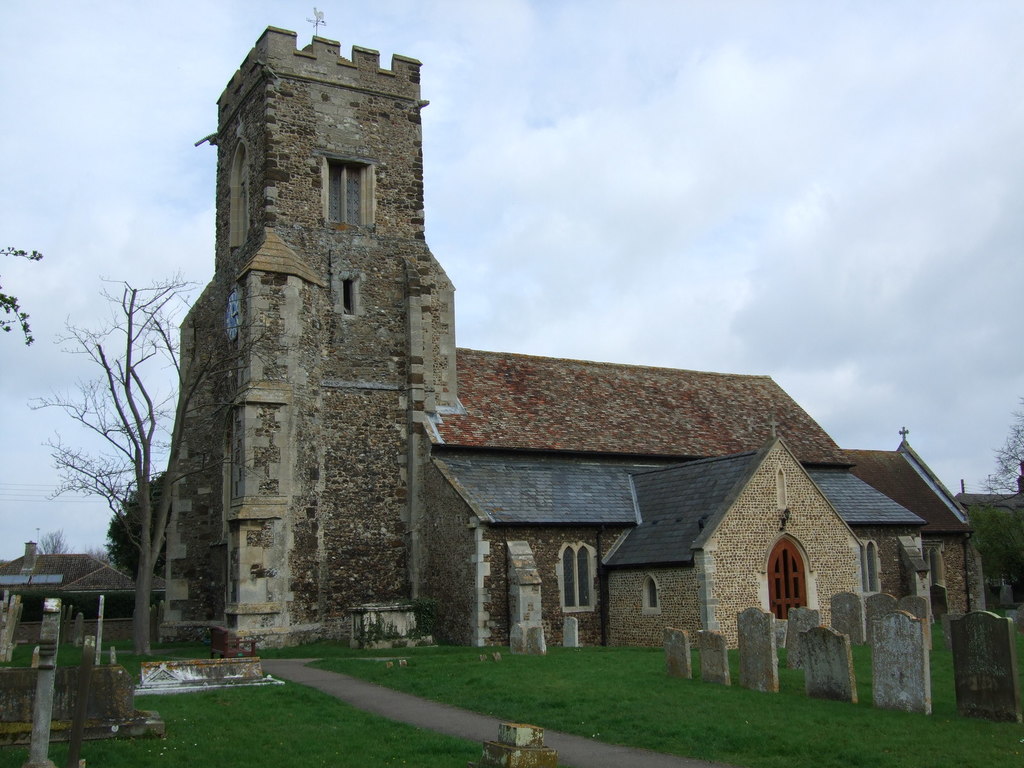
<point>329,339</point>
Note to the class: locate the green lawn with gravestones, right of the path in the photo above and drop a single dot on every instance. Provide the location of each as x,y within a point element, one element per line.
<point>623,696</point>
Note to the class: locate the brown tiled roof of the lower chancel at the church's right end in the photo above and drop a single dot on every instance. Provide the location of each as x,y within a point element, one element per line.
<point>892,474</point>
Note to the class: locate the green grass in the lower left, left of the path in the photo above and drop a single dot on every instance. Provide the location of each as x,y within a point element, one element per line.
<point>281,727</point>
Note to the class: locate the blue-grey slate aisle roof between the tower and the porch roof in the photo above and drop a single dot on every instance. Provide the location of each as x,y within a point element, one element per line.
<point>544,490</point>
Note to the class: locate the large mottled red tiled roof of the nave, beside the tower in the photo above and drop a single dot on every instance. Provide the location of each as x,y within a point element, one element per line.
<point>522,402</point>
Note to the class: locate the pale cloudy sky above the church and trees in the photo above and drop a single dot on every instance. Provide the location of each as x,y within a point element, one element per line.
<point>827,193</point>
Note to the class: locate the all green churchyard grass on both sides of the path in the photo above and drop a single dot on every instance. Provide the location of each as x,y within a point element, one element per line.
<point>620,696</point>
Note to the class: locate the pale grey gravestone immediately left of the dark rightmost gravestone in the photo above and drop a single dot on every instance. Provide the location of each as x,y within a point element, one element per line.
<point>901,673</point>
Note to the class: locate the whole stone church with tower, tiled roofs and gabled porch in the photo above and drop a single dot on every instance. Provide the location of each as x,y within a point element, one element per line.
<point>344,456</point>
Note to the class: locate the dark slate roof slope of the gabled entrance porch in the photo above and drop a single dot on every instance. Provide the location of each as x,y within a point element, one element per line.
<point>677,503</point>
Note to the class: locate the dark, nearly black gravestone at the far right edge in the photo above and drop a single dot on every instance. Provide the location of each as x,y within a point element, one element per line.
<point>986,667</point>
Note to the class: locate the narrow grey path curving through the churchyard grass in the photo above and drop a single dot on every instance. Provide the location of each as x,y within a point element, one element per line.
<point>573,751</point>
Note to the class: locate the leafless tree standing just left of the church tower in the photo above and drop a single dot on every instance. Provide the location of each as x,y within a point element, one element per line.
<point>137,405</point>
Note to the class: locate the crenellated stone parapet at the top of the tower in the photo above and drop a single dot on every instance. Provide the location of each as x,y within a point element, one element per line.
<point>277,54</point>
